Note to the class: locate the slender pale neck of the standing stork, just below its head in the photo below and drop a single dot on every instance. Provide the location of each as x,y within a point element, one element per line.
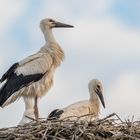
<point>49,38</point>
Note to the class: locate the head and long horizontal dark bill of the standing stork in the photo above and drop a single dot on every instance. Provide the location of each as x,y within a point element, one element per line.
<point>50,23</point>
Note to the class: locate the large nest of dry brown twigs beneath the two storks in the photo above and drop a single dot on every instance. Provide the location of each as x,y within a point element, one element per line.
<point>110,127</point>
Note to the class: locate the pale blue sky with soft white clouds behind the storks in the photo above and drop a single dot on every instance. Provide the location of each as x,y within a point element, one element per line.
<point>105,44</point>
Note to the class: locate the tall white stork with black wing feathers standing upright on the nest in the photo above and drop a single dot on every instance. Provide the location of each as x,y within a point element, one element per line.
<point>33,77</point>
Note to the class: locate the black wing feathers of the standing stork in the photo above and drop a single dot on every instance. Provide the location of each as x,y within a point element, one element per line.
<point>16,82</point>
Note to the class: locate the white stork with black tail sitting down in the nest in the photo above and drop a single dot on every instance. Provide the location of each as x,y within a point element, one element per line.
<point>82,108</point>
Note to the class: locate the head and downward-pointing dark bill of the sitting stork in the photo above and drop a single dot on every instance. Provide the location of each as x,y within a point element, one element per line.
<point>95,87</point>
